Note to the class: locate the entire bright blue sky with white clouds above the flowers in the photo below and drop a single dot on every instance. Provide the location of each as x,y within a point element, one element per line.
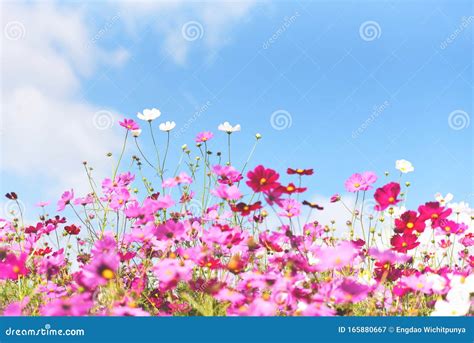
<point>311,60</point>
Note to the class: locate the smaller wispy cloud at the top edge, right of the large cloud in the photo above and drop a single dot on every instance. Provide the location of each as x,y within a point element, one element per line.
<point>214,19</point>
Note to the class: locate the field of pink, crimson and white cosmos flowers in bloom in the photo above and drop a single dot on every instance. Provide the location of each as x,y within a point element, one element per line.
<point>206,237</point>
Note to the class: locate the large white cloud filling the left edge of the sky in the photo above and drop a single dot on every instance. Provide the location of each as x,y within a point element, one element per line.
<point>47,130</point>
